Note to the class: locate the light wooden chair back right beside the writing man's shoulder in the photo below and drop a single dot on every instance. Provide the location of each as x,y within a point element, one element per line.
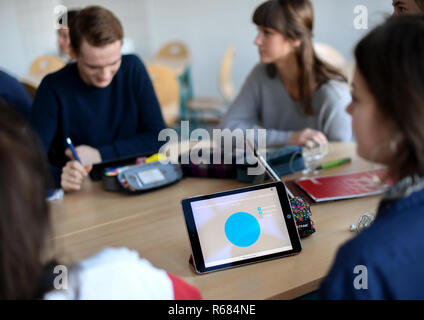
<point>167,89</point>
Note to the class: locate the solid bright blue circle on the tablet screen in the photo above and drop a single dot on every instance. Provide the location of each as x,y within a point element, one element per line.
<point>242,229</point>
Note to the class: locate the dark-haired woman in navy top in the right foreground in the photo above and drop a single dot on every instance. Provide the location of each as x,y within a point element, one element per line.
<point>385,261</point>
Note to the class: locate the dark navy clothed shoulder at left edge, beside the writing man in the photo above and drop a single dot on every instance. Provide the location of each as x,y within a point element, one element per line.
<point>15,94</point>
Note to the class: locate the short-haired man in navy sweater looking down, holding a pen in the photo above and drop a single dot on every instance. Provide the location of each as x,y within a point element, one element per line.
<point>104,102</point>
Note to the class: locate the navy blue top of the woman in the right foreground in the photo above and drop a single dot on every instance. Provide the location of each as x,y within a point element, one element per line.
<point>391,249</point>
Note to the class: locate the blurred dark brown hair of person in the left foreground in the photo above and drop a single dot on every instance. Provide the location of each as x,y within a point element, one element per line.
<point>24,221</point>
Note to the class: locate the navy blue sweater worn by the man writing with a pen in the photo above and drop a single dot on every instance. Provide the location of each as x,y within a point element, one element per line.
<point>121,120</point>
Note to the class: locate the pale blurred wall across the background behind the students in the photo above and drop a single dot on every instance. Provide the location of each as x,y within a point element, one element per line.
<point>208,27</point>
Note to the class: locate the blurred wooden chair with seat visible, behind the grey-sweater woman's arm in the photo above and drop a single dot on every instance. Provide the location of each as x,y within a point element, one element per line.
<point>211,109</point>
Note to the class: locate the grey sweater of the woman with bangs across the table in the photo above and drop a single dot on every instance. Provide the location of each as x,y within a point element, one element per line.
<point>264,102</point>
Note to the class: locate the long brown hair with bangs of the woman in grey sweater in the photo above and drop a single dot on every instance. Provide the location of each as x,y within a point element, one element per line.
<point>294,19</point>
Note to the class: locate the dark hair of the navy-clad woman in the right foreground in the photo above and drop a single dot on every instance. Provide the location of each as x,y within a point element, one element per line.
<point>390,59</point>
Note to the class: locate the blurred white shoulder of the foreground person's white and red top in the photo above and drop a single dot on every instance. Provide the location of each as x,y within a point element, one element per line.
<point>116,273</point>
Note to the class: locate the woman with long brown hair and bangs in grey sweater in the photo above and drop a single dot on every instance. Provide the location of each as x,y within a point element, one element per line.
<point>292,93</point>
